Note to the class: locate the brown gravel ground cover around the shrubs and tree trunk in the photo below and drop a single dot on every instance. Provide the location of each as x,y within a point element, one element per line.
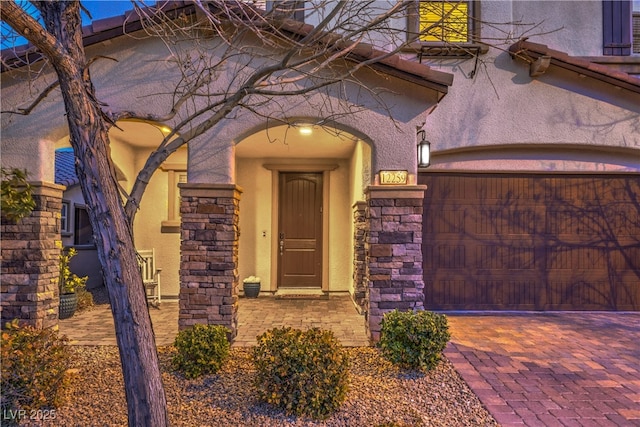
<point>379,395</point>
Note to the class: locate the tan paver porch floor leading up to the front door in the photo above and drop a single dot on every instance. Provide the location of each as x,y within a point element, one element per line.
<point>255,315</point>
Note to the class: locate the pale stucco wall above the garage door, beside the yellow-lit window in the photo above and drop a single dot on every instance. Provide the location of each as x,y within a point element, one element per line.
<point>502,106</point>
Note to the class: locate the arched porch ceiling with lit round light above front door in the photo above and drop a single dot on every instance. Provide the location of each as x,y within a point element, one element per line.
<point>287,141</point>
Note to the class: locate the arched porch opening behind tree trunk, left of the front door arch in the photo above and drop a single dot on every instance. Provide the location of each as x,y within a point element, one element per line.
<point>157,223</point>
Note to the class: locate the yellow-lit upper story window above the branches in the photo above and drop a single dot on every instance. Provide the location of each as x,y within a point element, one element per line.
<point>445,21</point>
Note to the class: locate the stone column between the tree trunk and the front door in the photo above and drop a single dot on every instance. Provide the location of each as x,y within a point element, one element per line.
<point>209,255</point>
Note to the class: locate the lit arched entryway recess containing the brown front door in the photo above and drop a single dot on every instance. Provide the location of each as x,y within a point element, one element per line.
<point>300,184</point>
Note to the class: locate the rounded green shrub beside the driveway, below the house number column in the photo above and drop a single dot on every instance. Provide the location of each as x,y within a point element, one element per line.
<point>414,340</point>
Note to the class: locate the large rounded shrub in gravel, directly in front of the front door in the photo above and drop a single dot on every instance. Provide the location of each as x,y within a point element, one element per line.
<point>303,372</point>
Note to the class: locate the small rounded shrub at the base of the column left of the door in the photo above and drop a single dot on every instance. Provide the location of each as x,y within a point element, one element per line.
<point>202,350</point>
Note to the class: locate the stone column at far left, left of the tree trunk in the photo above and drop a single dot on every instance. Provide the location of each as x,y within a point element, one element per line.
<point>30,257</point>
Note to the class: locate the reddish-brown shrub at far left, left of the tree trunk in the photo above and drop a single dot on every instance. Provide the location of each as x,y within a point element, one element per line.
<point>34,368</point>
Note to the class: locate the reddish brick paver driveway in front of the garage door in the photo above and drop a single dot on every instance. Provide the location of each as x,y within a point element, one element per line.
<point>551,369</point>
